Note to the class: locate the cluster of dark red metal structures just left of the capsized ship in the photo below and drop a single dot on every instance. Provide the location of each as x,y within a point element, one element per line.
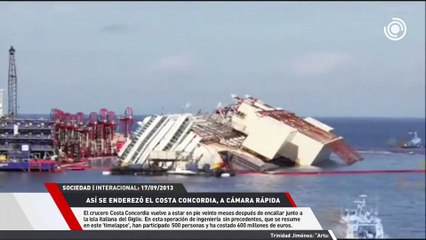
<point>76,137</point>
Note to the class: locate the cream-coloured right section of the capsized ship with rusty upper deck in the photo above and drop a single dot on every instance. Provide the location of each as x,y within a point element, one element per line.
<point>274,132</point>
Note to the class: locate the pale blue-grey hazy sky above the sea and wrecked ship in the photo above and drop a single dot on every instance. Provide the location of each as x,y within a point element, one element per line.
<point>312,58</point>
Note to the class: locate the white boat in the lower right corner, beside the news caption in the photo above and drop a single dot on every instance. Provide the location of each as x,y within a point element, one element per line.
<point>362,223</point>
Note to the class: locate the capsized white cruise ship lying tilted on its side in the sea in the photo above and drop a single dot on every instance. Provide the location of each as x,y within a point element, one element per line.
<point>249,133</point>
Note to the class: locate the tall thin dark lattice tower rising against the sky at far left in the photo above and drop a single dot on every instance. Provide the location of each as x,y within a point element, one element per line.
<point>12,84</point>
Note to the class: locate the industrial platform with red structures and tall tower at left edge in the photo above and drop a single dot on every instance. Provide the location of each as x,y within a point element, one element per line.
<point>64,137</point>
